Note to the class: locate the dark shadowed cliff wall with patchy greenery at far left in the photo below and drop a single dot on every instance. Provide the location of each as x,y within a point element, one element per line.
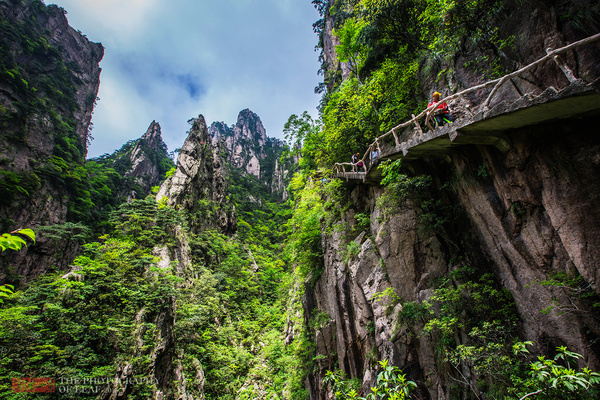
<point>48,87</point>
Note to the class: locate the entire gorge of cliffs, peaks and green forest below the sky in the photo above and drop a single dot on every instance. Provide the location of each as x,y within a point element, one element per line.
<point>245,266</point>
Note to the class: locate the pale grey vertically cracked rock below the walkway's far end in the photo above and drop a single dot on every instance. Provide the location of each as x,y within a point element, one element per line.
<point>393,254</point>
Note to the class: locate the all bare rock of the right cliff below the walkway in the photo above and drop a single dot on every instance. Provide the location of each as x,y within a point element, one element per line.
<point>533,217</point>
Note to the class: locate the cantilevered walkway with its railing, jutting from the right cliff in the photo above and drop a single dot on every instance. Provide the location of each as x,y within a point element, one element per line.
<point>483,125</point>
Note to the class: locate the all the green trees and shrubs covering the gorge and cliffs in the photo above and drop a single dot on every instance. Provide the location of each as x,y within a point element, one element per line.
<point>224,313</point>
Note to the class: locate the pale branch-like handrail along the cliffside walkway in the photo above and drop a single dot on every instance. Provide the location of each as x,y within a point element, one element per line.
<point>550,54</point>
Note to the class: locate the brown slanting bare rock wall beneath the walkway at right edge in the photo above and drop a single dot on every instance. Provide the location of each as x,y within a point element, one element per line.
<point>545,222</point>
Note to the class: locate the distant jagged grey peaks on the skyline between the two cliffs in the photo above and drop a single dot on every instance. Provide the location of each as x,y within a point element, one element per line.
<point>244,146</point>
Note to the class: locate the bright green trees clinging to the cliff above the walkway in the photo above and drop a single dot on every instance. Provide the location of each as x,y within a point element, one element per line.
<point>388,46</point>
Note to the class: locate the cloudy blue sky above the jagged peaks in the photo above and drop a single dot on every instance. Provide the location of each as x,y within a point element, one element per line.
<point>170,61</point>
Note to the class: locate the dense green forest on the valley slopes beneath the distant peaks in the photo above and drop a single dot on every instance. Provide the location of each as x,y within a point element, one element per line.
<point>109,309</point>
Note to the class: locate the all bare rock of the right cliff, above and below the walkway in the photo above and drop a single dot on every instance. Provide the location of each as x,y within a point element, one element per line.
<point>525,217</point>
